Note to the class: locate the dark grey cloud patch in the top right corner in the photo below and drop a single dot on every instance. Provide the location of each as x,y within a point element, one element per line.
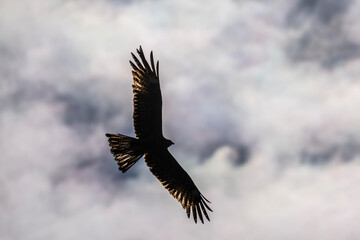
<point>324,38</point>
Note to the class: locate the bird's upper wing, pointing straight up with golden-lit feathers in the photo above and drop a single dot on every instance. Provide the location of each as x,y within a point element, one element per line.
<point>147,97</point>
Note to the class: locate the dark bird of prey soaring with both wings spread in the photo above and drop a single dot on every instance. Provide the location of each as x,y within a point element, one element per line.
<point>150,141</point>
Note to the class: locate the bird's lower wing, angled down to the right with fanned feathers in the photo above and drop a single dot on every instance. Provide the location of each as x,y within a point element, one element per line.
<point>176,180</point>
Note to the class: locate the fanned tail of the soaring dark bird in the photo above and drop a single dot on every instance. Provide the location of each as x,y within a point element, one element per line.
<point>123,150</point>
